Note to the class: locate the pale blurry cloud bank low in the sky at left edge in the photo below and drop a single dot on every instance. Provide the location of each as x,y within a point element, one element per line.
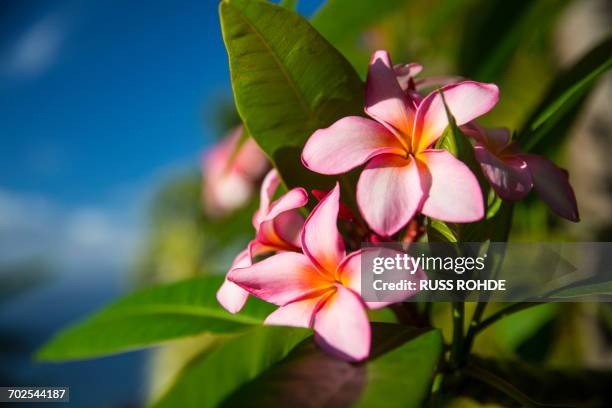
<point>81,240</point>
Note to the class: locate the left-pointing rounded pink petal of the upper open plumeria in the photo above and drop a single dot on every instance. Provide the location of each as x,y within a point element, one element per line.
<point>346,144</point>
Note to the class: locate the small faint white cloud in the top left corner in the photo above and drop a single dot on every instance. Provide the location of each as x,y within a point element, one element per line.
<point>37,48</point>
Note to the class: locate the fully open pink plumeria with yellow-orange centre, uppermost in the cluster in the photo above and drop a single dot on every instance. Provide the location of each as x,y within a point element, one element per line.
<point>403,173</point>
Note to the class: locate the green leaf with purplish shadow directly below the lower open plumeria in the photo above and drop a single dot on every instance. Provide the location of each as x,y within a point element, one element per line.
<point>399,374</point>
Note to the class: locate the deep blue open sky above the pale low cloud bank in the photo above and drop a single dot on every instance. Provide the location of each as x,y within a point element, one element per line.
<point>120,92</point>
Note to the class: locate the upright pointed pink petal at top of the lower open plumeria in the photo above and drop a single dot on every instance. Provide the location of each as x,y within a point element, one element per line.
<point>321,241</point>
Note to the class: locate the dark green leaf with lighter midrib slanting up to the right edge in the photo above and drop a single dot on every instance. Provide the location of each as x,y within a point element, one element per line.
<point>551,120</point>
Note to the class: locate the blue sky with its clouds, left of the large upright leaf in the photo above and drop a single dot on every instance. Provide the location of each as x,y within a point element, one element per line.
<point>99,102</point>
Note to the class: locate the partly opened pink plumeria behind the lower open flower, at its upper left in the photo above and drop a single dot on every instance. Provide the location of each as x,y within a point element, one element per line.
<point>277,224</point>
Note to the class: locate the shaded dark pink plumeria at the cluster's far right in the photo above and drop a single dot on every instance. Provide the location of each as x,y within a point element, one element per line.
<point>513,174</point>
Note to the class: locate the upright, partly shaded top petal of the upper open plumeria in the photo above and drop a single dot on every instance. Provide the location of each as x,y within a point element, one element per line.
<point>385,100</point>
